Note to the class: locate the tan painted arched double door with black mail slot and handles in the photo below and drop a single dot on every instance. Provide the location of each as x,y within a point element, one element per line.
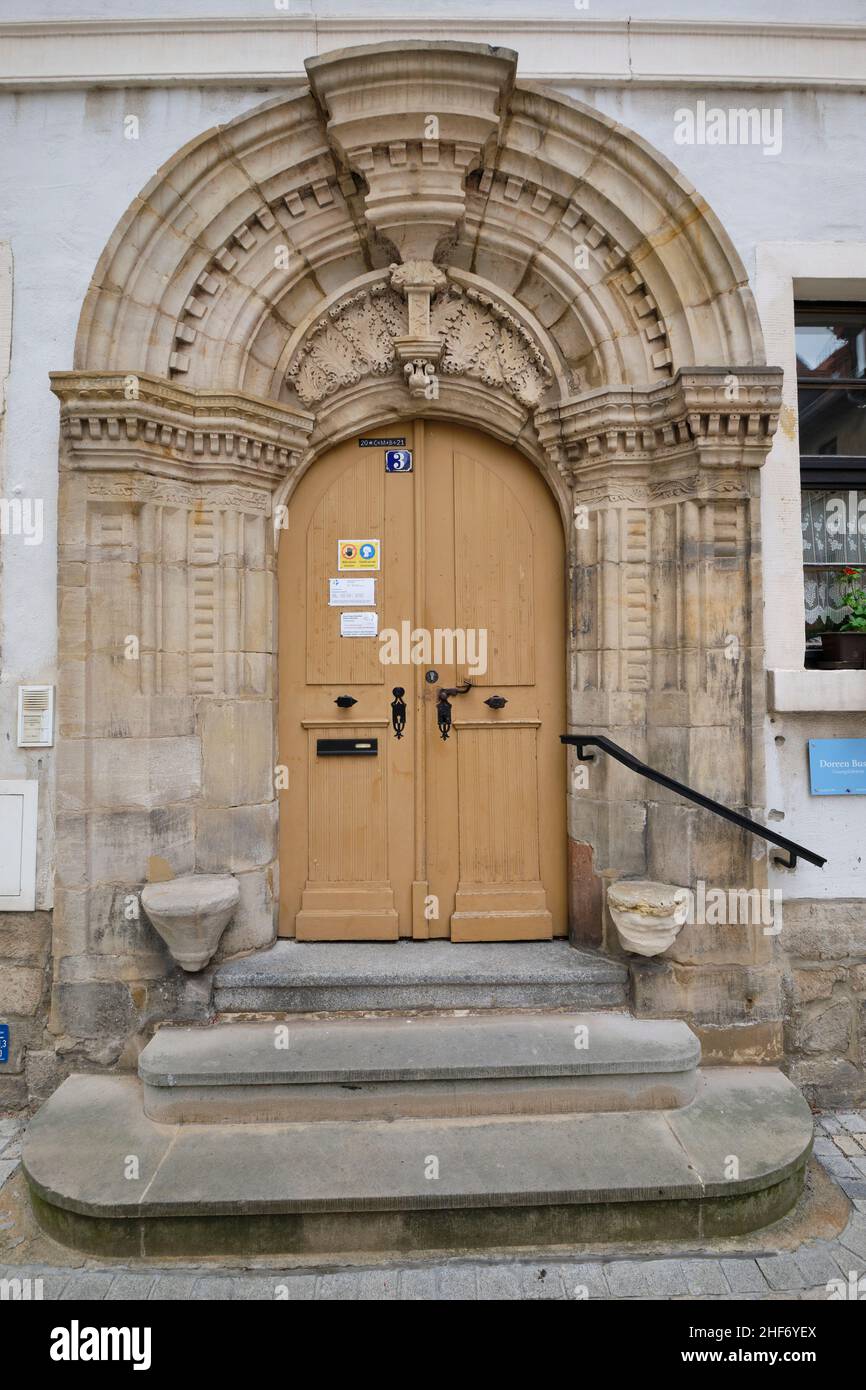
<point>425,836</point>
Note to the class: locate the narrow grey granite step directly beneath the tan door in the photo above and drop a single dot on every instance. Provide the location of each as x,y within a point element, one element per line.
<point>362,976</point>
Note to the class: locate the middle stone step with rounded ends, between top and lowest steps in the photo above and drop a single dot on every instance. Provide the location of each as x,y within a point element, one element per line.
<point>496,1064</point>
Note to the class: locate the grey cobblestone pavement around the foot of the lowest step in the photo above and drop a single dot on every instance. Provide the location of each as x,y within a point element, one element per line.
<point>815,1271</point>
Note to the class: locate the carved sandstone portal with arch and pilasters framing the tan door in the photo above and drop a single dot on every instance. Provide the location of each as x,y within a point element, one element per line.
<point>416,234</point>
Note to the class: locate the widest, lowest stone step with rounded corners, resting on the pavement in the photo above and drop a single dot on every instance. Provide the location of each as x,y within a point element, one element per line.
<point>415,1185</point>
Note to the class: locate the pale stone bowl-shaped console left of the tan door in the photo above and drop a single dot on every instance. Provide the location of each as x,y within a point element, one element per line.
<point>191,914</point>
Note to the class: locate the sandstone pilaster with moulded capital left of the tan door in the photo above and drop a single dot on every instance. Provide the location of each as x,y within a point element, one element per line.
<point>166,721</point>
